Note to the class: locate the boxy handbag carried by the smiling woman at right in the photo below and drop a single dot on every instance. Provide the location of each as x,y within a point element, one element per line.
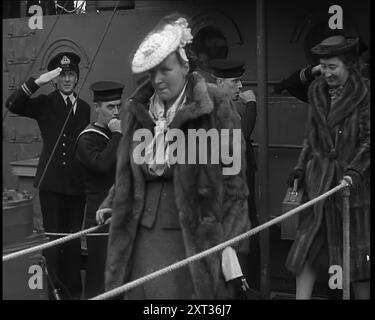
<point>293,199</point>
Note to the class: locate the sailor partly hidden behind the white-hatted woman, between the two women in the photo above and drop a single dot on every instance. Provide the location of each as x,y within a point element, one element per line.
<point>228,75</point>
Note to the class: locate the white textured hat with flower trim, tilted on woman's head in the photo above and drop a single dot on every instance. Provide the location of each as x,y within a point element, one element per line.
<point>158,45</point>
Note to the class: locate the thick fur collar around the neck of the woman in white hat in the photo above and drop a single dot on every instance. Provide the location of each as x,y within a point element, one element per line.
<point>199,102</point>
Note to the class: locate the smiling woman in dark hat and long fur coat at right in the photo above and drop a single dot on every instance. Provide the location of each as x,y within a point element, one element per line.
<point>337,144</point>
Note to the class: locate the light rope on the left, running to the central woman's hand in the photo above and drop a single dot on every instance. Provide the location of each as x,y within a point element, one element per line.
<point>52,243</point>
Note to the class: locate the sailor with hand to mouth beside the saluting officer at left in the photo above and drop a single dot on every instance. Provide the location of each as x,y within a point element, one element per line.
<point>96,150</point>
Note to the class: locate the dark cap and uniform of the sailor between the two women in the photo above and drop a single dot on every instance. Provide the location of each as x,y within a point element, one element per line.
<point>222,68</point>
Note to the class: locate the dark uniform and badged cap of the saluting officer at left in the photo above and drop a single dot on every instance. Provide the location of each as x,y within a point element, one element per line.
<point>61,190</point>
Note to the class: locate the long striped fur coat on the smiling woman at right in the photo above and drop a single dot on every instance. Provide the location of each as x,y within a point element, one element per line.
<point>337,143</point>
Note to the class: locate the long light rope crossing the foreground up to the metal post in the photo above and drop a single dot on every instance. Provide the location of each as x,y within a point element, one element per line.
<point>223,245</point>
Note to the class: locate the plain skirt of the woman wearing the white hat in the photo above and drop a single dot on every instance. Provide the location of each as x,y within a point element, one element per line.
<point>154,249</point>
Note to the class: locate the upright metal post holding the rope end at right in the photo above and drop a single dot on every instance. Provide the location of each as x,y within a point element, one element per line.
<point>346,243</point>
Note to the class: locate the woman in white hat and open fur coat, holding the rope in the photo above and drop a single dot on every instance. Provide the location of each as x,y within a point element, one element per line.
<point>163,212</point>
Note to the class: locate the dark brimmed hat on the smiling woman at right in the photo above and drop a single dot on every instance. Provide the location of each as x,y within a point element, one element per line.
<point>335,46</point>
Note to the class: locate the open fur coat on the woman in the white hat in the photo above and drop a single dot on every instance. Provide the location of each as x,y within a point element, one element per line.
<point>212,207</point>
